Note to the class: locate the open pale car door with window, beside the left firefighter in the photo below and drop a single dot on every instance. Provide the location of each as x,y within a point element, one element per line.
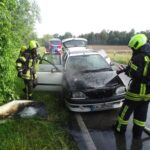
<point>50,74</point>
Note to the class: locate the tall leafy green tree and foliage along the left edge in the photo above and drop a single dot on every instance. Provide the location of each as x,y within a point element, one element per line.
<point>17,19</point>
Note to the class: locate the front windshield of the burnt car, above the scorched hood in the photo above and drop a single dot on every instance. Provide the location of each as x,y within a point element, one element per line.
<point>87,63</point>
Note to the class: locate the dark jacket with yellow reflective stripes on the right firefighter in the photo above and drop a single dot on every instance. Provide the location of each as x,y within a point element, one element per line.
<point>139,71</point>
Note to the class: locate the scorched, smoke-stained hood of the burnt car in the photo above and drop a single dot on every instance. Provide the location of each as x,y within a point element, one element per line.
<point>93,80</point>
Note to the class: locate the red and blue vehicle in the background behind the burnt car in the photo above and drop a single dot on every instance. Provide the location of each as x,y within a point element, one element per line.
<point>55,46</point>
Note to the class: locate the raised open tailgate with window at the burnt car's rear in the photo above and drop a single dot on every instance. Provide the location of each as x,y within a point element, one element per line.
<point>75,43</point>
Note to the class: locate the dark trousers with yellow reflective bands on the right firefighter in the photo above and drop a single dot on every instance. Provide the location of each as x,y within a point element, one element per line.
<point>139,110</point>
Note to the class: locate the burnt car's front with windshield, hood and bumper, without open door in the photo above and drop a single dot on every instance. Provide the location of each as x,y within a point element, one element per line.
<point>90,84</point>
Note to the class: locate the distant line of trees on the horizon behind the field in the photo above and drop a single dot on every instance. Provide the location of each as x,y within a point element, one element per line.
<point>104,37</point>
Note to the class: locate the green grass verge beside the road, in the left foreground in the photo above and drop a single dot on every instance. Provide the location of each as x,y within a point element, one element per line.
<point>38,133</point>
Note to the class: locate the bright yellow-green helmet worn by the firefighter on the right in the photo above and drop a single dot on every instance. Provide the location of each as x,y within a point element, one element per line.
<point>137,41</point>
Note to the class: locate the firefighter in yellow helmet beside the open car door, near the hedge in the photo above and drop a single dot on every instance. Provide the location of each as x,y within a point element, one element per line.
<point>26,66</point>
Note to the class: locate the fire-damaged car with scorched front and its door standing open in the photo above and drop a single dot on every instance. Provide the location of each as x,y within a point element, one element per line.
<point>86,81</point>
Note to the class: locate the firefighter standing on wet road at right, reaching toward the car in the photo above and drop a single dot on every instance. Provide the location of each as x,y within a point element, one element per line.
<point>138,94</point>
